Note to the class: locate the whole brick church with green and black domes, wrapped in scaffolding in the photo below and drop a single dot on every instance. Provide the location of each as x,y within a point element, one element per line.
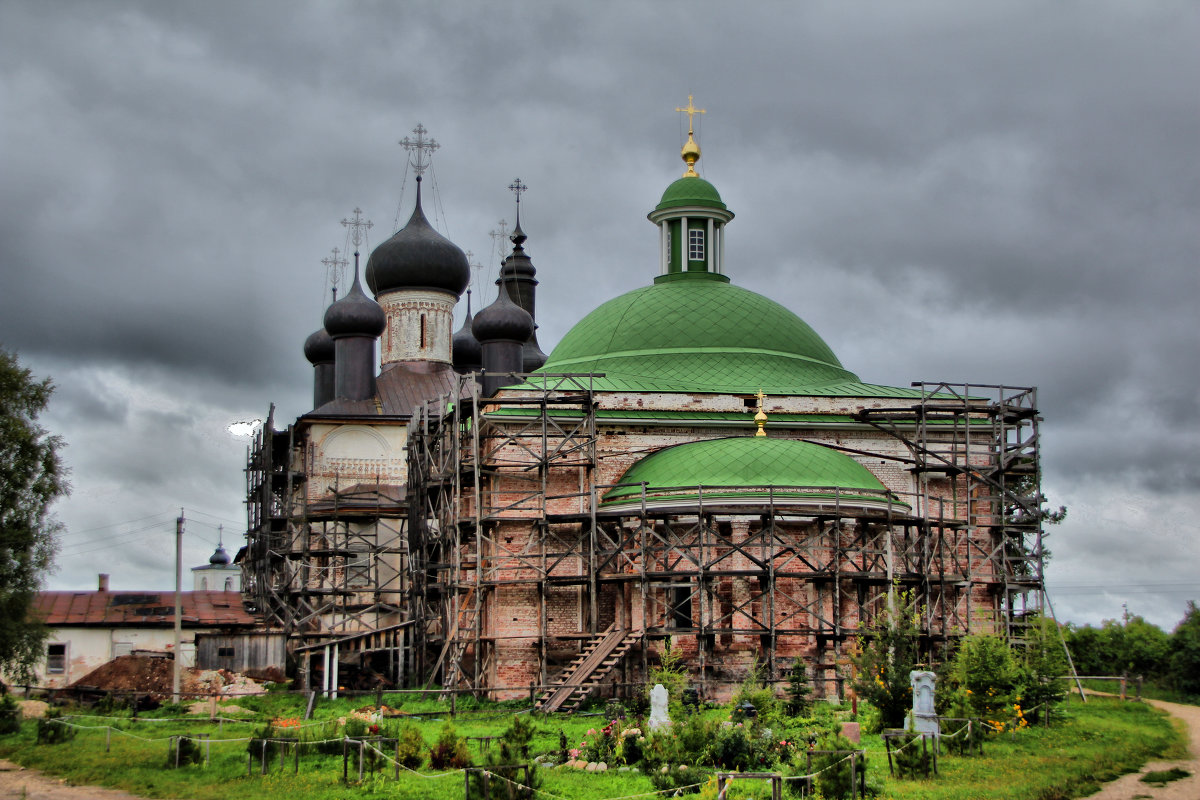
<point>691,467</point>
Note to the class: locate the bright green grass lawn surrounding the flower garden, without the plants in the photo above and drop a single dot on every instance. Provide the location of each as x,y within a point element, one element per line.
<point>1089,744</point>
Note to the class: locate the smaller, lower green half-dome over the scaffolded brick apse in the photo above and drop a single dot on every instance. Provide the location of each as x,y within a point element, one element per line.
<point>748,468</point>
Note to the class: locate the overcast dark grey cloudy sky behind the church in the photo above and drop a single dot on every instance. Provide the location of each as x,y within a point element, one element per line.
<point>988,193</point>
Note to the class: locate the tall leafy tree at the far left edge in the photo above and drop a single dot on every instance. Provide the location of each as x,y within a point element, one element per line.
<point>32,478</point>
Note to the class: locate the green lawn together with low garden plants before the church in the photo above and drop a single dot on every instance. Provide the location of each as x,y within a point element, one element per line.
<point>1084,747</point>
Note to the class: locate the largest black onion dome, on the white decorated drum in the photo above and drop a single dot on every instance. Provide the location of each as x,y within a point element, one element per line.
<point>418,257</point>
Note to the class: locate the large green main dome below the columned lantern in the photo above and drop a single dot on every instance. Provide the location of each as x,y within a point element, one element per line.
<point>697,333</point>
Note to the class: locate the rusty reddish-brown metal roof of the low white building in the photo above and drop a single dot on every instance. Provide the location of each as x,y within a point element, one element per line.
<point>142,610</point>
